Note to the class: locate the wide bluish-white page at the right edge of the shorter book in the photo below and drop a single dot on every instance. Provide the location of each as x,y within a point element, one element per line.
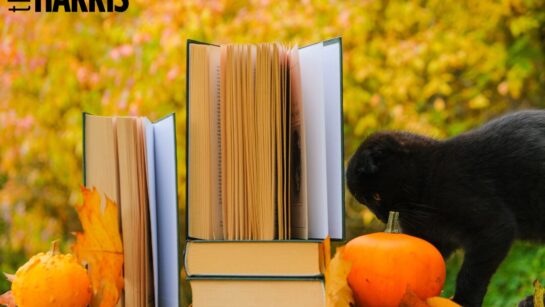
<point>167,211</point>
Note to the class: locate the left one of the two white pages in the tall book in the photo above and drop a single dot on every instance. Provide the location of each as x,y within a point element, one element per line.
<point>312,83</point>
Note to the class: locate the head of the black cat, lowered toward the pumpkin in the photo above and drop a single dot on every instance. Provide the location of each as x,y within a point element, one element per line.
<point>382,170</point>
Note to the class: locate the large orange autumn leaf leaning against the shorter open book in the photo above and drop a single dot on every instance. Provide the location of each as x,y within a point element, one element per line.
<point>100,247</point>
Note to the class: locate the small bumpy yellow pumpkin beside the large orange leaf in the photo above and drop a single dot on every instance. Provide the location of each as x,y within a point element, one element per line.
<point>51,279</point>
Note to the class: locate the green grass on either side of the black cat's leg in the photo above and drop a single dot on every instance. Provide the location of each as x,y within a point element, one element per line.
<point>513,280</point>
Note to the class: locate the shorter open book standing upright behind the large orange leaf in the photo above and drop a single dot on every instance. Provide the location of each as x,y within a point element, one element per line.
<point>133,162</point>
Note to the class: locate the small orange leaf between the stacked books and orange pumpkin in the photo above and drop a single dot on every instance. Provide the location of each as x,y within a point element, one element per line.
<point>338,292</point>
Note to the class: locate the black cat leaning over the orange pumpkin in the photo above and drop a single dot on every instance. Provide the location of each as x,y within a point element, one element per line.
<point>477,191</point>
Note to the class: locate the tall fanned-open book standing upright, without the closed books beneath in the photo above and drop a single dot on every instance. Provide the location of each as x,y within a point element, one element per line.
<point>264,148</point>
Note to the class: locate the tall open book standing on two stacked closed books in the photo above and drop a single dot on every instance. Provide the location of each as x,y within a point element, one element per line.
<point>264,171</point>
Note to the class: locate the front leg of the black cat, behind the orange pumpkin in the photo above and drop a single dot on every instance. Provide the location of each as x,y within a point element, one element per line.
<point>483,254</point>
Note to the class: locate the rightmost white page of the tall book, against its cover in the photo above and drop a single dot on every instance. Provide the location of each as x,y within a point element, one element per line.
<point>333,113</point>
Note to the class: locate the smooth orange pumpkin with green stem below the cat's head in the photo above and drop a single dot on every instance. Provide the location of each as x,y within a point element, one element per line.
<point>385,264</point>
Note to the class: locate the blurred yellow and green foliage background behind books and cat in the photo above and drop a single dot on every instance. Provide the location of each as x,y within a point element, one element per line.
<point>434,67</point>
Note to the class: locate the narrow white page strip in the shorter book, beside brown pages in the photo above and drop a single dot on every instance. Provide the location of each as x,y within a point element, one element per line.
<point>150,161</point>
